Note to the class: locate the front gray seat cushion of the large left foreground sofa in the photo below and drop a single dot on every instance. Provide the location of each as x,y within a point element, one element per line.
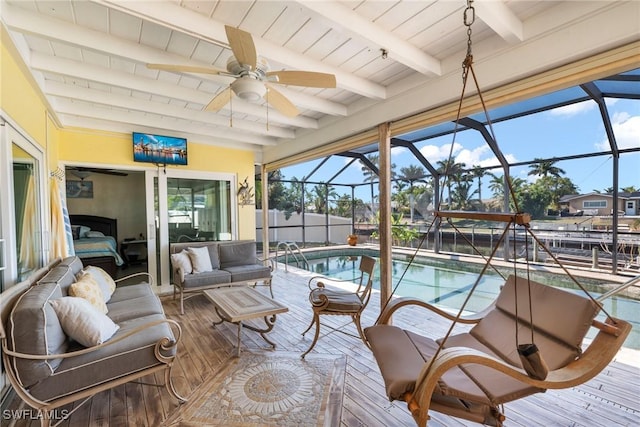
<point>113,361</point>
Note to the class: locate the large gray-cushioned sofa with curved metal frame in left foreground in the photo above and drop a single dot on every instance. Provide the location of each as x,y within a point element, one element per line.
<point>48,369</point>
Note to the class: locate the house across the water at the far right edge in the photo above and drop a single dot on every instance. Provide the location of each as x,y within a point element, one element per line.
<point>601,204</point>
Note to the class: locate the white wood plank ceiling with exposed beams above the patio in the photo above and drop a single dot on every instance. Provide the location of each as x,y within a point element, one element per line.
<point>89,58</point>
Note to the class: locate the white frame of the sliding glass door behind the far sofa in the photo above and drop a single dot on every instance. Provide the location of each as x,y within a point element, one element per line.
<point>162,239</point>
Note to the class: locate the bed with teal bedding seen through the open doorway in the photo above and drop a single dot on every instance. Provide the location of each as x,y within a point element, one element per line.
<point>95,249</point>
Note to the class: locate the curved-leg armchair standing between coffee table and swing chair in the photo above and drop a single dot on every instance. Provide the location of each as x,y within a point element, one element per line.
<point>337,302</point>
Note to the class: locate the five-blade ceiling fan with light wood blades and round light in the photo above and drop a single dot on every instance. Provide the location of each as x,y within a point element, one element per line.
<point>253,80</point>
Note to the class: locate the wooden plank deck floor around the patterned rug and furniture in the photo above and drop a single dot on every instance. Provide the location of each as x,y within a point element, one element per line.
<point>610,399</point>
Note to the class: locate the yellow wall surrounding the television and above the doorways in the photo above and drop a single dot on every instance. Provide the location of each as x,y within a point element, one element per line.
<point>22,101</point>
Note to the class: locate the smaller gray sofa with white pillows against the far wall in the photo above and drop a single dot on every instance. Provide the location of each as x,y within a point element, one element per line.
<point>230,262</point>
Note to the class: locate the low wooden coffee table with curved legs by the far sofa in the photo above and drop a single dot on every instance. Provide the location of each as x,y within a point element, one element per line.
<point>239,303</point>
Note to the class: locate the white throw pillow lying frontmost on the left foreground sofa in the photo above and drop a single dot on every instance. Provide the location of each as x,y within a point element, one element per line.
<point>82,322</point>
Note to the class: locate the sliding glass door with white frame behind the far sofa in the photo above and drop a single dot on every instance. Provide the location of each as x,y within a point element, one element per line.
<point>187,207</point>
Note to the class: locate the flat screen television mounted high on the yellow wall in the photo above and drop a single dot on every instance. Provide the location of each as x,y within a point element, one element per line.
<point>159,149</point>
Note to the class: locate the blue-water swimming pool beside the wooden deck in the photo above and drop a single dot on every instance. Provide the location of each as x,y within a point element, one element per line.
<point>446,282</point>
